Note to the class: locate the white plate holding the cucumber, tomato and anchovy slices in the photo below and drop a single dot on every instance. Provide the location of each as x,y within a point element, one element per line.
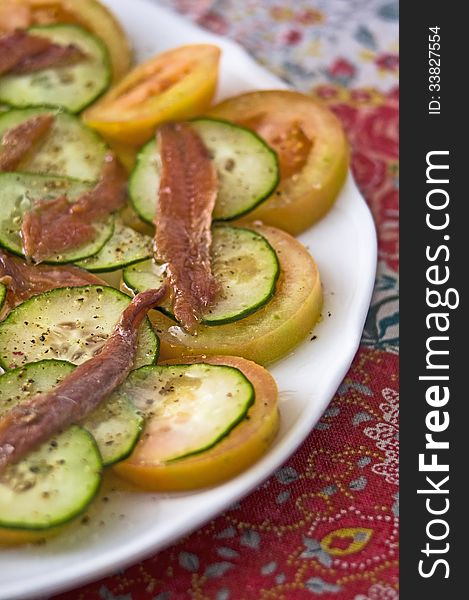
<point>344,245</point>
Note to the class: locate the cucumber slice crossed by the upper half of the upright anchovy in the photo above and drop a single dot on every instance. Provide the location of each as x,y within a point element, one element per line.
<point>247,168</point>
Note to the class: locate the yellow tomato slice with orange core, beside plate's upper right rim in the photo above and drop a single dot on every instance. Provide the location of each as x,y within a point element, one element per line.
<point>312,150</point>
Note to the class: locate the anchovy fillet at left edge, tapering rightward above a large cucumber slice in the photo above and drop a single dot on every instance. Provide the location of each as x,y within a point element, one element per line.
<point>24,281</point>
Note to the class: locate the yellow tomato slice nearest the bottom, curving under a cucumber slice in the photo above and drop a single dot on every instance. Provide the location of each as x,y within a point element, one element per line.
<point>245,444</point>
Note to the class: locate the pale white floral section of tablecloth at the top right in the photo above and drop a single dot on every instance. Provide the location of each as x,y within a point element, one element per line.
<point>344,42</point>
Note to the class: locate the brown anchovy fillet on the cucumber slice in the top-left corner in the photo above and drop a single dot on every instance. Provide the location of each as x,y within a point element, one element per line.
<point>21,52</point>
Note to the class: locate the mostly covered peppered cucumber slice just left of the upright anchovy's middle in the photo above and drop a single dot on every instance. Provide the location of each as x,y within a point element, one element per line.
<point>125,247</point>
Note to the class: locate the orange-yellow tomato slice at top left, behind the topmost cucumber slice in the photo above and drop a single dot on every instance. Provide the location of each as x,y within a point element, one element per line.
<point>90,14</point>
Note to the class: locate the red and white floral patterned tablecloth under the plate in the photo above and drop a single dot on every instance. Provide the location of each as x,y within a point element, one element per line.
<point>325,524</point>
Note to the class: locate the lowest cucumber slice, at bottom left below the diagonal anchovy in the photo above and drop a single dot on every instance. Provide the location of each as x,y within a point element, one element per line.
<point>52,484</point>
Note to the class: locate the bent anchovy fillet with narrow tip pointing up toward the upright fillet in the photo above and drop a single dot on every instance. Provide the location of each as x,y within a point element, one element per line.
<point>54,226</point>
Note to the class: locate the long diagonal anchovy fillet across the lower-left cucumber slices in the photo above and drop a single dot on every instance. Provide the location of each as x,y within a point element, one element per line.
<point>29,424</point>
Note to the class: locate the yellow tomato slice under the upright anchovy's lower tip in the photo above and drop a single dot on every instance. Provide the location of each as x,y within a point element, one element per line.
<point>269,333</point>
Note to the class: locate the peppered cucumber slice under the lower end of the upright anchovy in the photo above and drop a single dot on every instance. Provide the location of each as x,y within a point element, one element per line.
<point>244,264</point>
